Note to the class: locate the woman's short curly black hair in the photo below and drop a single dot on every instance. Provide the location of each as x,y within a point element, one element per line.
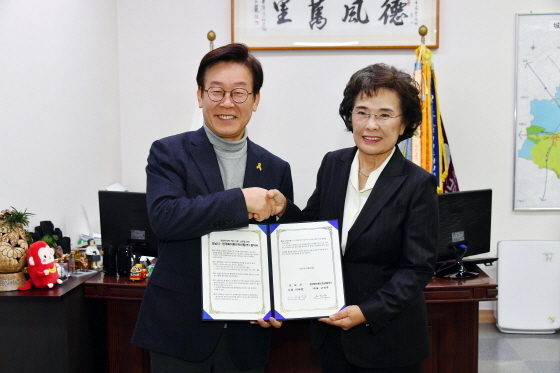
<point>369,80</point>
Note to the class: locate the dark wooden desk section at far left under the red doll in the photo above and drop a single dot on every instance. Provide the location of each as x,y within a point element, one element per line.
<point>46,330</point>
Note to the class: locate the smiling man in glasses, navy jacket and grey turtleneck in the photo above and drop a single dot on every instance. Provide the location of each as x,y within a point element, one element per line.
<point>197,182</point>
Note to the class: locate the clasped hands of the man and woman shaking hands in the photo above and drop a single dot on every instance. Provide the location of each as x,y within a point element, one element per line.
<point>262,203</point>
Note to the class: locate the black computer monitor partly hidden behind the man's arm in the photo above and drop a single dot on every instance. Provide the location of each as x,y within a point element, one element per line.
<point>125,229</point>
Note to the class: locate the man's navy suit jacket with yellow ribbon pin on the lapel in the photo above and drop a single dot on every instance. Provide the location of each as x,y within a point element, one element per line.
<point>186,200</point>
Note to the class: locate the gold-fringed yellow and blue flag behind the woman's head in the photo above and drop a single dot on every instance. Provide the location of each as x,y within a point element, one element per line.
<point>429,147</point>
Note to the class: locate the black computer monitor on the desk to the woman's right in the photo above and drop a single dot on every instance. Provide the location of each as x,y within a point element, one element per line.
<point>464,230</point>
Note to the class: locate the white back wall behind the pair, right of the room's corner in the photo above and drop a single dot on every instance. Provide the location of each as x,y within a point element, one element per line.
<point>297,117</point>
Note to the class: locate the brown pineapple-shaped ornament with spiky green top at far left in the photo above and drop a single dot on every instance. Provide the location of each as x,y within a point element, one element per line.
<point>13,248</point>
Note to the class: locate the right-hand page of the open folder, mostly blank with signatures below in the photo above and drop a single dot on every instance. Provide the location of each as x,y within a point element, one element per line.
<point>306,270</point>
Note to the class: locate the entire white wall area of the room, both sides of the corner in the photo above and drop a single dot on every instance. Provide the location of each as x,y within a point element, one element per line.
<point>68,89</point>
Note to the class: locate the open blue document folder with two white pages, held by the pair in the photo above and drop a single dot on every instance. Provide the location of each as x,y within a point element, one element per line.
<point>285,271</point>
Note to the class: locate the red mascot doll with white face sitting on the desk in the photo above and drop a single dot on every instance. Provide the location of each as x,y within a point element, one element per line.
<point>41,267</point>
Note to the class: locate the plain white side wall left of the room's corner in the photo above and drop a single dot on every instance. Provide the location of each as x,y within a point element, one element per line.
<point>59,108</point>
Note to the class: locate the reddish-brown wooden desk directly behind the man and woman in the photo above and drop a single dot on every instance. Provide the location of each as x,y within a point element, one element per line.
<point>452,317</point>
